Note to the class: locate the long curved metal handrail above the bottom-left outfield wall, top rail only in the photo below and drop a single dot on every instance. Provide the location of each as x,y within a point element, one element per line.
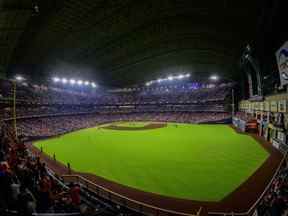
<point>131,200</point>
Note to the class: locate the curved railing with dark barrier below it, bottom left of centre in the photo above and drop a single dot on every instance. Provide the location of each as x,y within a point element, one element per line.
<point>123,200</point>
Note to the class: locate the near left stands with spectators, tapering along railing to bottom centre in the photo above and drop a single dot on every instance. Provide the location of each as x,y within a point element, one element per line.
<point>28,187</point>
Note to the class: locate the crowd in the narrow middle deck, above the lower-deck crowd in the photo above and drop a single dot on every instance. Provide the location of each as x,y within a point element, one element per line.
<point>42,111</point>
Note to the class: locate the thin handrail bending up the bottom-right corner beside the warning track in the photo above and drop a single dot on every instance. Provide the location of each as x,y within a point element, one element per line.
<point>259,199</point>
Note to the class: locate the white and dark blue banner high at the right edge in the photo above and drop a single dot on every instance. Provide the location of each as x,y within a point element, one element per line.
<point>282,61</point>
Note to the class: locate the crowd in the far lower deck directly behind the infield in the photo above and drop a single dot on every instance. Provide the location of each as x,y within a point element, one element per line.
<point>51,126</point>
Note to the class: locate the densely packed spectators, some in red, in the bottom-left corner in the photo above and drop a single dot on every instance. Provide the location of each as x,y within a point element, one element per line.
<point>25,184</point>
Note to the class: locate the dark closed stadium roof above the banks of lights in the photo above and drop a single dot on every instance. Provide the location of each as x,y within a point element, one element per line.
<point>122,42</point>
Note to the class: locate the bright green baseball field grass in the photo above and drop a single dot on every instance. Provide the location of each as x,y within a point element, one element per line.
<point>197,162</point>
